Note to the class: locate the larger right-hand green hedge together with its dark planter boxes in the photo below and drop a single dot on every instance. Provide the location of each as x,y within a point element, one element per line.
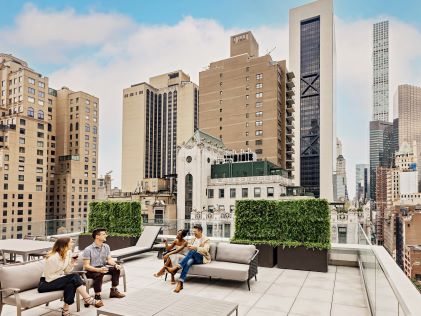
<point>297,230</point>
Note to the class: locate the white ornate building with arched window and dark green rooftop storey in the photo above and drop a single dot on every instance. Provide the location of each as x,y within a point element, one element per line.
<point>211,178</point>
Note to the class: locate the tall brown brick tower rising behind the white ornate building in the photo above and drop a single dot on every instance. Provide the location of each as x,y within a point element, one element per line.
<point>247,101</point>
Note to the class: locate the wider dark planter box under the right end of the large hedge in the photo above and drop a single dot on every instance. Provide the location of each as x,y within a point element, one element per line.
<point>302,258</point>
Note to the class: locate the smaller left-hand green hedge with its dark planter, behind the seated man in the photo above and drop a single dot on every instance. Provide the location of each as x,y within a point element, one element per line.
<point>122,220</point>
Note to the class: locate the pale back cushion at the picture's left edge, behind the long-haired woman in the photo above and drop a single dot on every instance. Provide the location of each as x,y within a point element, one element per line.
<point>22,276</point>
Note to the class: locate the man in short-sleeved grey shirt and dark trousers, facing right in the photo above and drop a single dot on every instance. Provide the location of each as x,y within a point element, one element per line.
<point>97,262</point>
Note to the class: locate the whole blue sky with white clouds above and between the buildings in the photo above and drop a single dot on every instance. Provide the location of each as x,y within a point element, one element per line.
<point>102,47</point>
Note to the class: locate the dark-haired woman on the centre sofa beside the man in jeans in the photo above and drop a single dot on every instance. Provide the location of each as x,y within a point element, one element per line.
<point>176,252</point>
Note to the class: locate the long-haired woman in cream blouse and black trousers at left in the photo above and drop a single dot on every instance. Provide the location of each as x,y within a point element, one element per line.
<point>58,262</point>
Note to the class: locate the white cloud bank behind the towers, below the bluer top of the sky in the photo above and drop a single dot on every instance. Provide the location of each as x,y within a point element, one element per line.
<point>104,53</point>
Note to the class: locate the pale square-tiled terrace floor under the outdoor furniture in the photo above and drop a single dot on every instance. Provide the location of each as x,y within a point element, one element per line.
<point>276,292</point>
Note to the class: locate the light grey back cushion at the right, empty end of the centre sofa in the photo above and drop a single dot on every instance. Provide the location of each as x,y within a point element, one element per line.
<point>235,253</point>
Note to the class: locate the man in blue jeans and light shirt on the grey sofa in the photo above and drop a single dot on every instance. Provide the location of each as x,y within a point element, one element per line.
<point>198,254</point>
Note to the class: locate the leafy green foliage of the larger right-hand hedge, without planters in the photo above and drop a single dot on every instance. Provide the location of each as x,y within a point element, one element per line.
<point>288,223</point>
